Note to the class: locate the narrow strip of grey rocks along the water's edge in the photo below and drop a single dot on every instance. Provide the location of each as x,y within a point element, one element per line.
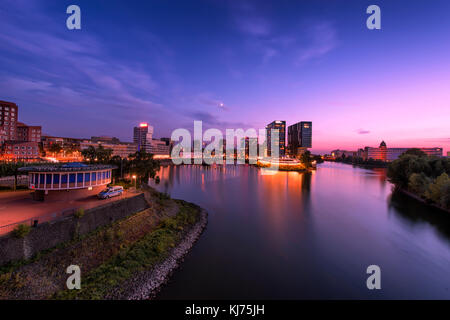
<point>147,284</point>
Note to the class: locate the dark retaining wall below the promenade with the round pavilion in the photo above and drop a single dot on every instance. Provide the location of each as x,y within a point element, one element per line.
<point>48,235</point>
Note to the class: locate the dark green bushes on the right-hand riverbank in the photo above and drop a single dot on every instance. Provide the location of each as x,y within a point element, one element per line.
<point>423,176</point>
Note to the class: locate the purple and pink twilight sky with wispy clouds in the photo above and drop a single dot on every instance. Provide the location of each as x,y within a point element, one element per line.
<point>232,64</point>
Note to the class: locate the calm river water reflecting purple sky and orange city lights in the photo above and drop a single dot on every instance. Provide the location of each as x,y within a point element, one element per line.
<point>307,236</point>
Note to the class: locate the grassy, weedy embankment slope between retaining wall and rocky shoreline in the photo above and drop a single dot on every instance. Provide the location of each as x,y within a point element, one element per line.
<point>108,257</point>
